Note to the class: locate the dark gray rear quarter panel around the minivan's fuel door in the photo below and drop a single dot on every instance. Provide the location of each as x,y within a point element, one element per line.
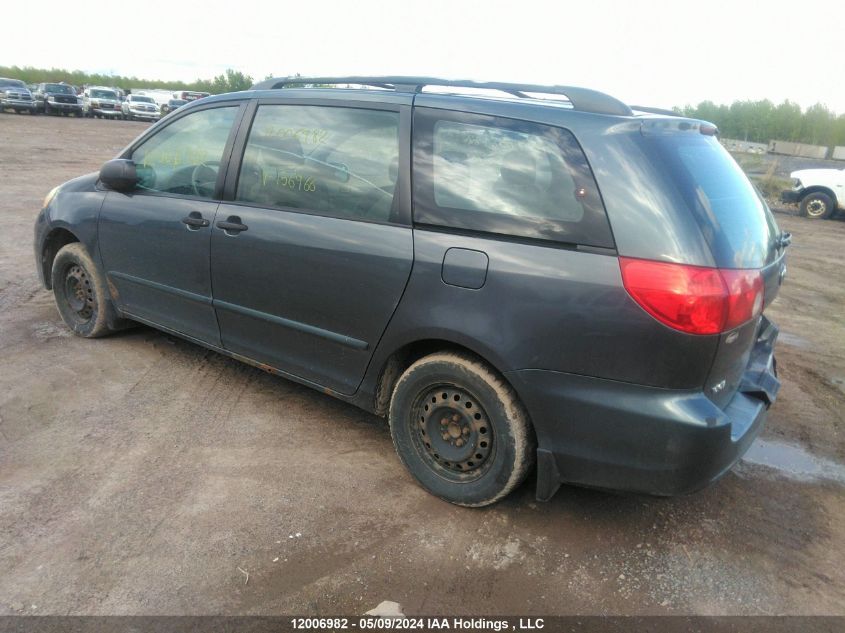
<point>544,308</point>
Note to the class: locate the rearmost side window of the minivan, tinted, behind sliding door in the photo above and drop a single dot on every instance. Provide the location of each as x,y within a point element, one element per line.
<point>504,176</point>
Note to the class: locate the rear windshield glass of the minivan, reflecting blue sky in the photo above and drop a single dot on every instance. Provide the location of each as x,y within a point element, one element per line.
<point>733,217</point>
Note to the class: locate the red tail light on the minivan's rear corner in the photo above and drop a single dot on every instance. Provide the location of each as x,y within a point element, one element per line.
<point>694,299</point>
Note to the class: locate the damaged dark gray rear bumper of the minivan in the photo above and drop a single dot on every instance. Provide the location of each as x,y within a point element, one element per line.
<point>616,435</point>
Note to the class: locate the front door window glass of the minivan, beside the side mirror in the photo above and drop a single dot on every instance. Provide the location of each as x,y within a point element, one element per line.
<point>184,157</point>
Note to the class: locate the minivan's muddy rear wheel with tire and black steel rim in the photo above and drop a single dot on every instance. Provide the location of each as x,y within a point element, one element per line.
<point>460,429</point>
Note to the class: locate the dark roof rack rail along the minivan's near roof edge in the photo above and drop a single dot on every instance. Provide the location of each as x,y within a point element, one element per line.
<point>582,99</point>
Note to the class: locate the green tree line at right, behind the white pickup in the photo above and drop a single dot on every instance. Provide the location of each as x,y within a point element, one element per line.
<point>763,121</point>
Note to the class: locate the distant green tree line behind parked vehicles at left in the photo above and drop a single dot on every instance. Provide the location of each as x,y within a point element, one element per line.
<point>229,81</point>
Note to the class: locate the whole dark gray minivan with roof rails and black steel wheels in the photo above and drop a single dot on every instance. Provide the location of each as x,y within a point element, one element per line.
<point>519,276</point>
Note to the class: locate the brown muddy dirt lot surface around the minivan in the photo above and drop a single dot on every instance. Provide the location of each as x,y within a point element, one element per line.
<point>144,475</point>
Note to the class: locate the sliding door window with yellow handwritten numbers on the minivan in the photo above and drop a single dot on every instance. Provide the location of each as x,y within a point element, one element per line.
<point>335,161</point>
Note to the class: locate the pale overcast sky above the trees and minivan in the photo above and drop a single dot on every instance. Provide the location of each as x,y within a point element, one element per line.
<point>648,53</point>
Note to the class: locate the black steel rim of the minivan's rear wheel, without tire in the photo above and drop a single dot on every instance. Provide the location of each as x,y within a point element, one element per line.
<point>452,433</point>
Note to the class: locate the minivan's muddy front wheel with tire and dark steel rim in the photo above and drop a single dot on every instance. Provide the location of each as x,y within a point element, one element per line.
<point>80,292</point>
